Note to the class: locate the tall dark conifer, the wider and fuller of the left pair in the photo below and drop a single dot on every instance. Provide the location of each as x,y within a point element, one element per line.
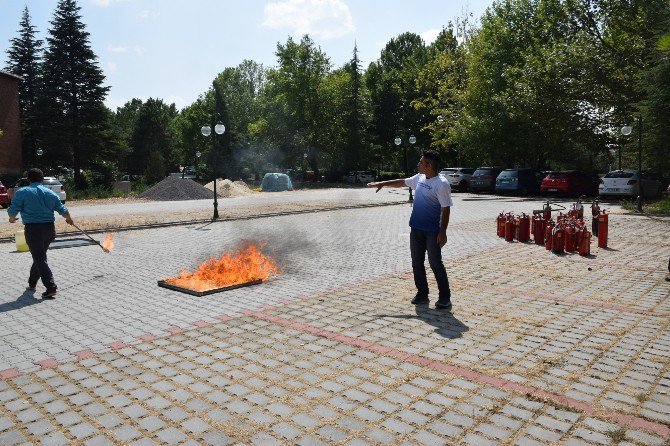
<point>72,95</point>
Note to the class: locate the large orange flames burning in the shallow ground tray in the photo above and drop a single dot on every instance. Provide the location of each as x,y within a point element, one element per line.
<point>246,264</point>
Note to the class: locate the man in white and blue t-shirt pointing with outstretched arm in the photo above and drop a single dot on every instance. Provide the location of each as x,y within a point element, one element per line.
<point>428,223</point>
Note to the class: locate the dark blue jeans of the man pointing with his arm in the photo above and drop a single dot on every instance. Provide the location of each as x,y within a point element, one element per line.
<point>421,242</point>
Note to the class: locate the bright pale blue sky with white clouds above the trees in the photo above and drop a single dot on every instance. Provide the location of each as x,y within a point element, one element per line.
<point>173,49</point>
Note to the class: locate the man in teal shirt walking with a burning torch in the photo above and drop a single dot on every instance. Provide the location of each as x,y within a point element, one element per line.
<point>37,204</point>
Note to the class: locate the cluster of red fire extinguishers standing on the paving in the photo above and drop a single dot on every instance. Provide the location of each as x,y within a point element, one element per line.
<point>567,234</point>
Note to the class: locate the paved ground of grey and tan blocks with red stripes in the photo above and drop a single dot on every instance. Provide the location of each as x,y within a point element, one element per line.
<point>539,348</point>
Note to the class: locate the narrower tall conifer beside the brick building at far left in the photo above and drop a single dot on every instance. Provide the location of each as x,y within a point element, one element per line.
<point>23,59</point>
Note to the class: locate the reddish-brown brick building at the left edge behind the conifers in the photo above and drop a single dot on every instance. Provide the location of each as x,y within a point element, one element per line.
<point>10,124</point>
